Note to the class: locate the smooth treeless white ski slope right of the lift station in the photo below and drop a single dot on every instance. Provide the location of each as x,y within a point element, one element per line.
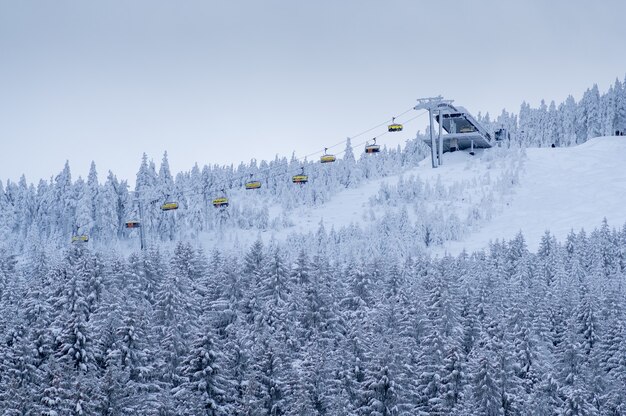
<point>560,189</point>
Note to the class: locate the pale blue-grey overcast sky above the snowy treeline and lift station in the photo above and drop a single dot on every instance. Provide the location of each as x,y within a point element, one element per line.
<point>220,82</point>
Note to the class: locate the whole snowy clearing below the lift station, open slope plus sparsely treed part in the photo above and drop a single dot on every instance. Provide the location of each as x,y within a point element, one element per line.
<point>554,189</point>
